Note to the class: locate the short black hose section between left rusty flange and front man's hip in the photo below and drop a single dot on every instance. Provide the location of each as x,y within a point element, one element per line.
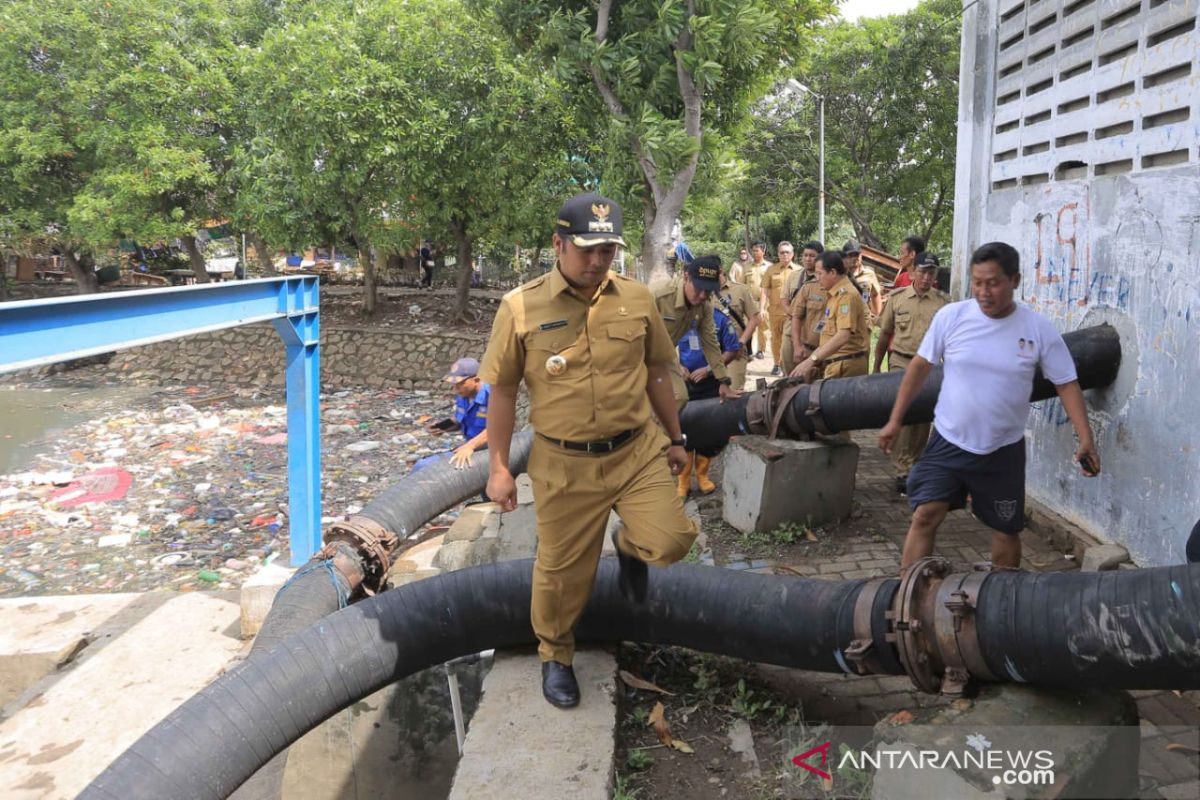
<point>410,504</point>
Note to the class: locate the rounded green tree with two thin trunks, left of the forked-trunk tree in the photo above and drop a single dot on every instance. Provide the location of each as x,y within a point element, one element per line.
<point>377,123</point>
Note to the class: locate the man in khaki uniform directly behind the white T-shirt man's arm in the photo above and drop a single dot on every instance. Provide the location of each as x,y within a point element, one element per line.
<point>907,318</point>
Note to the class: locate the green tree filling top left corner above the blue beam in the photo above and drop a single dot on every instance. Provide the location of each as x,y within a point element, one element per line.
<point>116,121</point>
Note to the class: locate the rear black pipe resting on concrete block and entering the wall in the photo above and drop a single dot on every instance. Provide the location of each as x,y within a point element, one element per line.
<point>866,402</point>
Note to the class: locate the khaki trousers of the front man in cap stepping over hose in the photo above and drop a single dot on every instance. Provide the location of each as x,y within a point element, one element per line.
<point>573,495</point>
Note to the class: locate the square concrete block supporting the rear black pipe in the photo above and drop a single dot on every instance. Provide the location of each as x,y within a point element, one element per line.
<point>770,483</point>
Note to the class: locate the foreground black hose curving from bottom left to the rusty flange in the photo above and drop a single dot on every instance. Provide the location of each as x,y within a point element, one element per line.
<point>219,738</point>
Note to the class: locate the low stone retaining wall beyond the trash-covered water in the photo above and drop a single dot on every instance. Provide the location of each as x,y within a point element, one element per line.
<point>253,356</point>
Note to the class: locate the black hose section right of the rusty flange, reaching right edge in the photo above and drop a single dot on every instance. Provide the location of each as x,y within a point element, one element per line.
<point>1094,629</point>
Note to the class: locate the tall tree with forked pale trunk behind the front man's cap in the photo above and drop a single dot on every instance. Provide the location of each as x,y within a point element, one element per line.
<point>664,81</point>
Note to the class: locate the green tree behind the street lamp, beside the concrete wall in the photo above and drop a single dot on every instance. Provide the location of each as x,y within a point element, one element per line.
<point>891,89</point>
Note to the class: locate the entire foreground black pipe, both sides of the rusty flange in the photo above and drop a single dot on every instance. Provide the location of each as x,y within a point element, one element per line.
<point>1132,630</point>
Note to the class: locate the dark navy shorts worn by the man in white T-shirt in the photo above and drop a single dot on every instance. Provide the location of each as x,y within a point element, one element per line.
<point>997,483</point>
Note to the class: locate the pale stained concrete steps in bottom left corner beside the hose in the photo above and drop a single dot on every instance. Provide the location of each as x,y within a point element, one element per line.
<point>81,706</point>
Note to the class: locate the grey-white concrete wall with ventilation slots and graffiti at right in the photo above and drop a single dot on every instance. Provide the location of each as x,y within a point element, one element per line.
<point>1081,146</point>
